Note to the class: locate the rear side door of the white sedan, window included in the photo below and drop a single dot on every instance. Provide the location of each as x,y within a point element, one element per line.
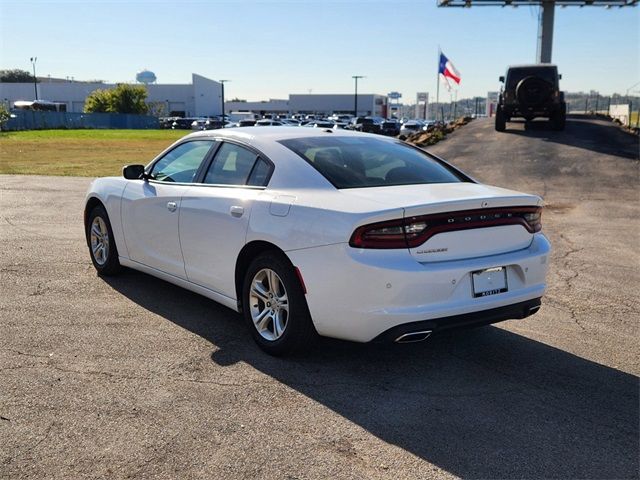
<point>214,216</point>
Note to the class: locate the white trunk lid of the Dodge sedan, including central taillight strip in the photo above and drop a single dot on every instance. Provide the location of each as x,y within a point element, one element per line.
<point>456,221</point>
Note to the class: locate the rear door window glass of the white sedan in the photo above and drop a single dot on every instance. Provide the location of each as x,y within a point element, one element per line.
<point>231,165</point>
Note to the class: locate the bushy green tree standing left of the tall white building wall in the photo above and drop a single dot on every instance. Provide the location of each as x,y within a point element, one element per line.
<point>122,99</point>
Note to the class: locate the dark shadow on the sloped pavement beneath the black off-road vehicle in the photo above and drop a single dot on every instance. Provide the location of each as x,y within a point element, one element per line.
<point>602,136</point>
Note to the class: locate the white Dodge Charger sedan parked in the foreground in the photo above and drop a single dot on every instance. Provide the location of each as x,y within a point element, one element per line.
<point>322,231</point>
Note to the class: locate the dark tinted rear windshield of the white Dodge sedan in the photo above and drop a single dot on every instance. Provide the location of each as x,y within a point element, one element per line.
<point>356,162</point>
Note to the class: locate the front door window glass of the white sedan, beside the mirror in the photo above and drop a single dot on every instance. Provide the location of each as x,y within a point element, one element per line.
<point>181,164</point>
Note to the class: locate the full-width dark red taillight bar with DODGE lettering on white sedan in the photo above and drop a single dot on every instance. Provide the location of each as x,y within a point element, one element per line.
<point>414,231</point>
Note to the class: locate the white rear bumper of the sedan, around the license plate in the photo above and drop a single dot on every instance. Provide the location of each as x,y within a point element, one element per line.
<point>358,294</point>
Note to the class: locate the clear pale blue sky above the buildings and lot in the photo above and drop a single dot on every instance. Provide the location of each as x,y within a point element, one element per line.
<point>272,48</point>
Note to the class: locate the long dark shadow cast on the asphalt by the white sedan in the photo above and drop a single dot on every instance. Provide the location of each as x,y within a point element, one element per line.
<point>485,403</point>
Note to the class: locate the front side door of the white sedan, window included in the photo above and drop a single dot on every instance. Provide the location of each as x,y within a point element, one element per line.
<point>151,208</point>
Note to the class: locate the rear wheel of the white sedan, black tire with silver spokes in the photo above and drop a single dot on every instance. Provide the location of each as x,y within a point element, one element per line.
<point>298,331</point>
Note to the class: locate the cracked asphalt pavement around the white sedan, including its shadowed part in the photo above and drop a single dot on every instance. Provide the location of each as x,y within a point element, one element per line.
<point>132,377</point>
